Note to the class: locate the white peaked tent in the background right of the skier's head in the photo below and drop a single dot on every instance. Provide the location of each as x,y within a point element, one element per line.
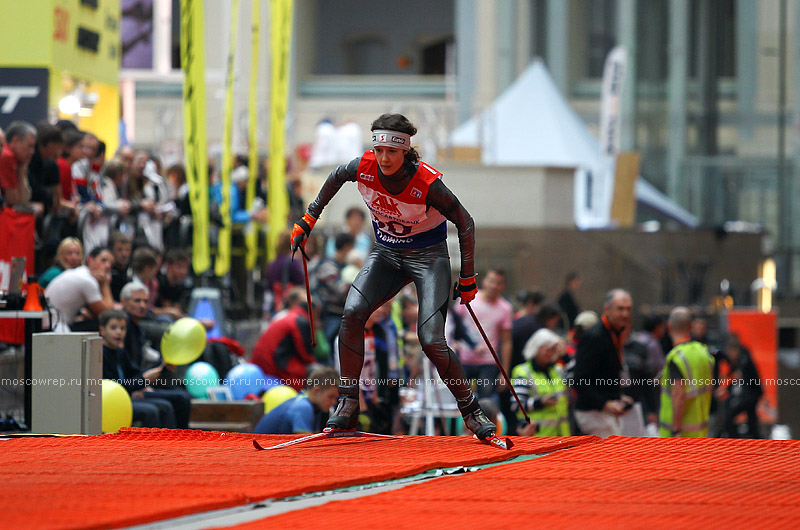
<point>531,124</point>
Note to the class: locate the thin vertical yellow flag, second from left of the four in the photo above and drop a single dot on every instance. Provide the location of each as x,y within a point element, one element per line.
<point>223,263</point>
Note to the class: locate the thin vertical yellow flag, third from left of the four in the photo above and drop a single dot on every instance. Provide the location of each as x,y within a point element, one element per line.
<point>253,231</point>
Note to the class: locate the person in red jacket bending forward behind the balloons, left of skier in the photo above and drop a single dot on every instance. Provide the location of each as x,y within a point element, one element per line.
<point>284,349</point>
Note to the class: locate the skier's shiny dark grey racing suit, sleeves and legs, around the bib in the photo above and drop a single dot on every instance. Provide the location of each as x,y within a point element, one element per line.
<point>387,270</point>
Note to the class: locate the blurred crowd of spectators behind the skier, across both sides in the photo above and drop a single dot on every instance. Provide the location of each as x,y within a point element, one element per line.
<point>113,257</point>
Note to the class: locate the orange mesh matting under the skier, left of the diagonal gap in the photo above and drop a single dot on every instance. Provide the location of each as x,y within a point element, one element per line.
<point>145,475</point>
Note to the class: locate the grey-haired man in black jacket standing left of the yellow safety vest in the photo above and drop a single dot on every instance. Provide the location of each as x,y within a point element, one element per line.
<point>599,372</point>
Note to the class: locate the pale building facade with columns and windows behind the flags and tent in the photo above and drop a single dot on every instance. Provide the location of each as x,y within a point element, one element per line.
<point>711,95</point>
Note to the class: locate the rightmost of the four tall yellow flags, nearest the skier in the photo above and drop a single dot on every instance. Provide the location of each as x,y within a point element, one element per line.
<point>278,196</point>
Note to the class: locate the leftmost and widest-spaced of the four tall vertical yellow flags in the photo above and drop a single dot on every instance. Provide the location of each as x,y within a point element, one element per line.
<point>194,127</point>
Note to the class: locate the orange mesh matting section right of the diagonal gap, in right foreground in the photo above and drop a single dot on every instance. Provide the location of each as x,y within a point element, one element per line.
<point>617,483</point>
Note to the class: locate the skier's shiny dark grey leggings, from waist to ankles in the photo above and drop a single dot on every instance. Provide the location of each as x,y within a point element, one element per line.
<point>385,272</point>
